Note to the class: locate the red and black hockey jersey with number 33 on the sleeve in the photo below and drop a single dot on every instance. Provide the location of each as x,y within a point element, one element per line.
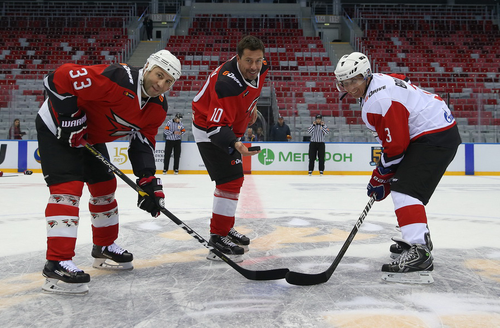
<point>110,96</point>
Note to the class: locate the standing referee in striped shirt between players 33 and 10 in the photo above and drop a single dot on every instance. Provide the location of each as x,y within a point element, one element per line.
<point>173,133</point>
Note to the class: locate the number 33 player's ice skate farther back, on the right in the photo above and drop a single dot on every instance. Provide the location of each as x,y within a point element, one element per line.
<point>112,257</point>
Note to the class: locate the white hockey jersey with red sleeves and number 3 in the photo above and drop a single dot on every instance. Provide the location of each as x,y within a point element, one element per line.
<point>400,113</point>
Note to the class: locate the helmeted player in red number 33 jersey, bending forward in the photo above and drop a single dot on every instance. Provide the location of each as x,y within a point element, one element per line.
<point>98,104</point>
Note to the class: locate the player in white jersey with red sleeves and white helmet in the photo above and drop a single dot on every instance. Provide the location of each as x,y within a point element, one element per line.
<point>420,138</point>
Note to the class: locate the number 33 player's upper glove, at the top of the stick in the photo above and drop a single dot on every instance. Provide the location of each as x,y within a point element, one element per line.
<point>72,130</point>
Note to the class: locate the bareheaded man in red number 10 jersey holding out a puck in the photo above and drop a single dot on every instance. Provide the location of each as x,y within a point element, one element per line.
<point>222,110</point>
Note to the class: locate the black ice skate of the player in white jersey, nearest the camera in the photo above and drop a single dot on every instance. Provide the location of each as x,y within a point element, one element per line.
<point>413,265</point>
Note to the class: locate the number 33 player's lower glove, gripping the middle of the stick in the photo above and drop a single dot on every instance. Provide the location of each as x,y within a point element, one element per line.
<point>154,201</point>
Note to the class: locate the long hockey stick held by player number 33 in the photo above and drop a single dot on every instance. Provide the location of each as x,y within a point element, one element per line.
<point>249,274</point>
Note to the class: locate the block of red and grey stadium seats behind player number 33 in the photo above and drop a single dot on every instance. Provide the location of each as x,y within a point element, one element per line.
<point>37,38</point>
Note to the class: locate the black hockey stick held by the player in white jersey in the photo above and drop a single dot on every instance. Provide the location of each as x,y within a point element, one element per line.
<point>305,279</point>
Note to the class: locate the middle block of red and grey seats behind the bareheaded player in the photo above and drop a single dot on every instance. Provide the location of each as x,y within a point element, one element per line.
<point>301,72</point>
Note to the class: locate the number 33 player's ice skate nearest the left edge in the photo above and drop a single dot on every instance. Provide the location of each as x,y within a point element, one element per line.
<point>64,277</point>
